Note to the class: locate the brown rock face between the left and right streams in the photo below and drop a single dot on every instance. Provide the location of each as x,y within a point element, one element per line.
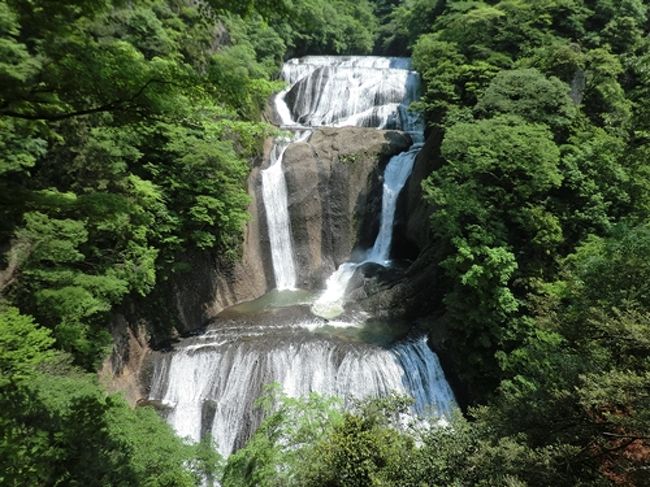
<point>334,184</point>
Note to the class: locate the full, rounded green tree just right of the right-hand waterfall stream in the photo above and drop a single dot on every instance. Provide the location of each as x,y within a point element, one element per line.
<point>491,199</point>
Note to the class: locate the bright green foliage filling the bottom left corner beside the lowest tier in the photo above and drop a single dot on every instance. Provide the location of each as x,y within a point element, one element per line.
<point>58,427</point>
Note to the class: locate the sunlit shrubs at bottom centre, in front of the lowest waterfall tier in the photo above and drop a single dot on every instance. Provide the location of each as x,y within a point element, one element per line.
<point>365,449</point>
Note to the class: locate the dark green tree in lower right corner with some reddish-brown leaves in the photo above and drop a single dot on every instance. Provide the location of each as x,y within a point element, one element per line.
<point>584,369</point>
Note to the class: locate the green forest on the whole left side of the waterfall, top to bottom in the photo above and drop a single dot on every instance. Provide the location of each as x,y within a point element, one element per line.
<point>126,134</point>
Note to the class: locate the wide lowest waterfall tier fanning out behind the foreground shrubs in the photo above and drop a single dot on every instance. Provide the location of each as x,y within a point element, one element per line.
<point>211,384</point>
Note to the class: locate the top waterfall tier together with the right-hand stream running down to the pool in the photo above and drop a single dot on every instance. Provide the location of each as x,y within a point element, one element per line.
<point>396,88</point>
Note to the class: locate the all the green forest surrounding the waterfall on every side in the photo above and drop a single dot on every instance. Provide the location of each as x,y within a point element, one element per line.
<point>126,134</point>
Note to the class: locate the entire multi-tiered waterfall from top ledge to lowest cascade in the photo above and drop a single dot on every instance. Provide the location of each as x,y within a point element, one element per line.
<point>209,383</point>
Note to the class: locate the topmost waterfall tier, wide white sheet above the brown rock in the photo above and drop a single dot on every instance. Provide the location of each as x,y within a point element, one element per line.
<point>363,91</point>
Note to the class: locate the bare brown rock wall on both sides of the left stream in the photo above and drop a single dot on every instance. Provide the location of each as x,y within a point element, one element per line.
<point>334,182</point>
